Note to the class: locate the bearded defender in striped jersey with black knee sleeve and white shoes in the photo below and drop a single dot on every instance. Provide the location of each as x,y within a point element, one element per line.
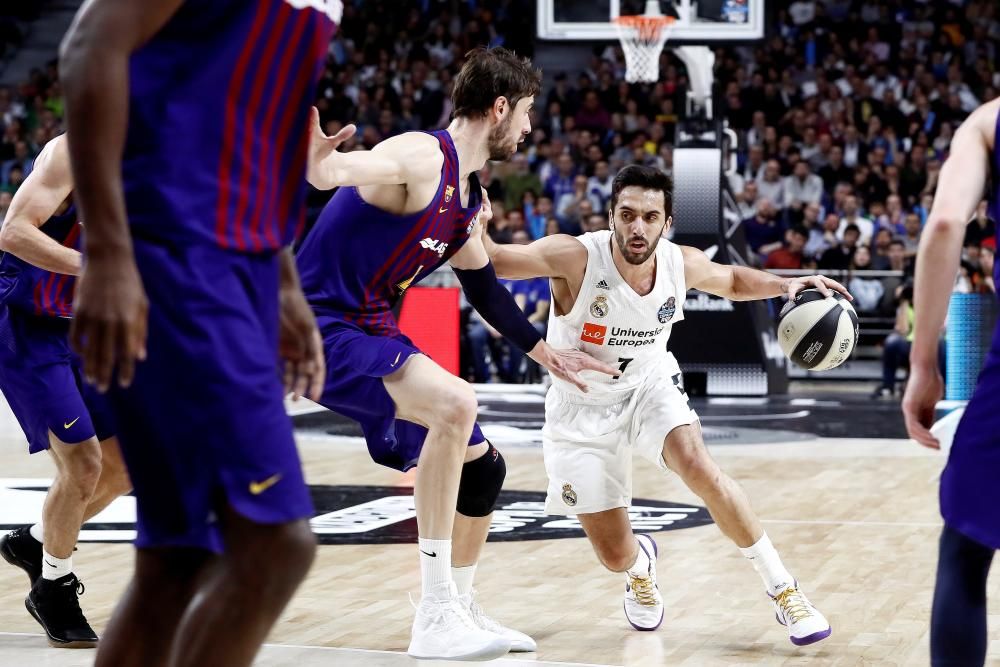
<point>405,208</point>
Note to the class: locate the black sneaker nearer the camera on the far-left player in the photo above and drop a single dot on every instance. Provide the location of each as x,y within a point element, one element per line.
<point>55,605</point>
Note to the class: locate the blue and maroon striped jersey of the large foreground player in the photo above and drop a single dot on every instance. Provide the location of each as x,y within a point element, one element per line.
<point>218,122</point>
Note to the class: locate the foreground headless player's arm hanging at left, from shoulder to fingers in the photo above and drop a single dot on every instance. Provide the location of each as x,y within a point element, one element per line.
<point>109,315</point>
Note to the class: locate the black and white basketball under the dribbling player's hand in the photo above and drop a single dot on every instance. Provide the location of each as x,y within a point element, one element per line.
<point>818,332</point>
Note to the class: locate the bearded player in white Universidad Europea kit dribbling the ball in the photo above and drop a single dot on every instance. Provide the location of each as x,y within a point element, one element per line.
<point>616,294</point>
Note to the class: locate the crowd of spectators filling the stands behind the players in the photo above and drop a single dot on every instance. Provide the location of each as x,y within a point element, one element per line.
<point>844,112</point>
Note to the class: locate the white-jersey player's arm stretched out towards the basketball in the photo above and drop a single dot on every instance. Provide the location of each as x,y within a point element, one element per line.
<point>741,283</point>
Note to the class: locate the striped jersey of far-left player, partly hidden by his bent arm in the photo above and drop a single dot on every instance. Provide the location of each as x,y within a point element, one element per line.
<point>37,291</point>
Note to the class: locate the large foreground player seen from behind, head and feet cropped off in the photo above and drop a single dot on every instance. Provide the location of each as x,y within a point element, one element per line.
<point>189,126</point>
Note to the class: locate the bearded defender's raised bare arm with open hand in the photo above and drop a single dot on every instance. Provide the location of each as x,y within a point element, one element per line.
<point>394,161</point>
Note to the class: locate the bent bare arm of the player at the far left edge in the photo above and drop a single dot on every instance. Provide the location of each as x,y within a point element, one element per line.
<point>37,200</point>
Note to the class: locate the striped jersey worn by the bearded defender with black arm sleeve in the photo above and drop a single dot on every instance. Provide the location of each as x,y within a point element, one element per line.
<point>358,259</point>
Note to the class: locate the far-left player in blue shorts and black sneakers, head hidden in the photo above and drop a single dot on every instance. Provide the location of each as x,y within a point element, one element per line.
<point>42,381</point>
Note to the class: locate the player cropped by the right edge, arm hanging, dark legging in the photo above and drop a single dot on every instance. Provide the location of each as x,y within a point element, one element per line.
<point>970,483</point>
